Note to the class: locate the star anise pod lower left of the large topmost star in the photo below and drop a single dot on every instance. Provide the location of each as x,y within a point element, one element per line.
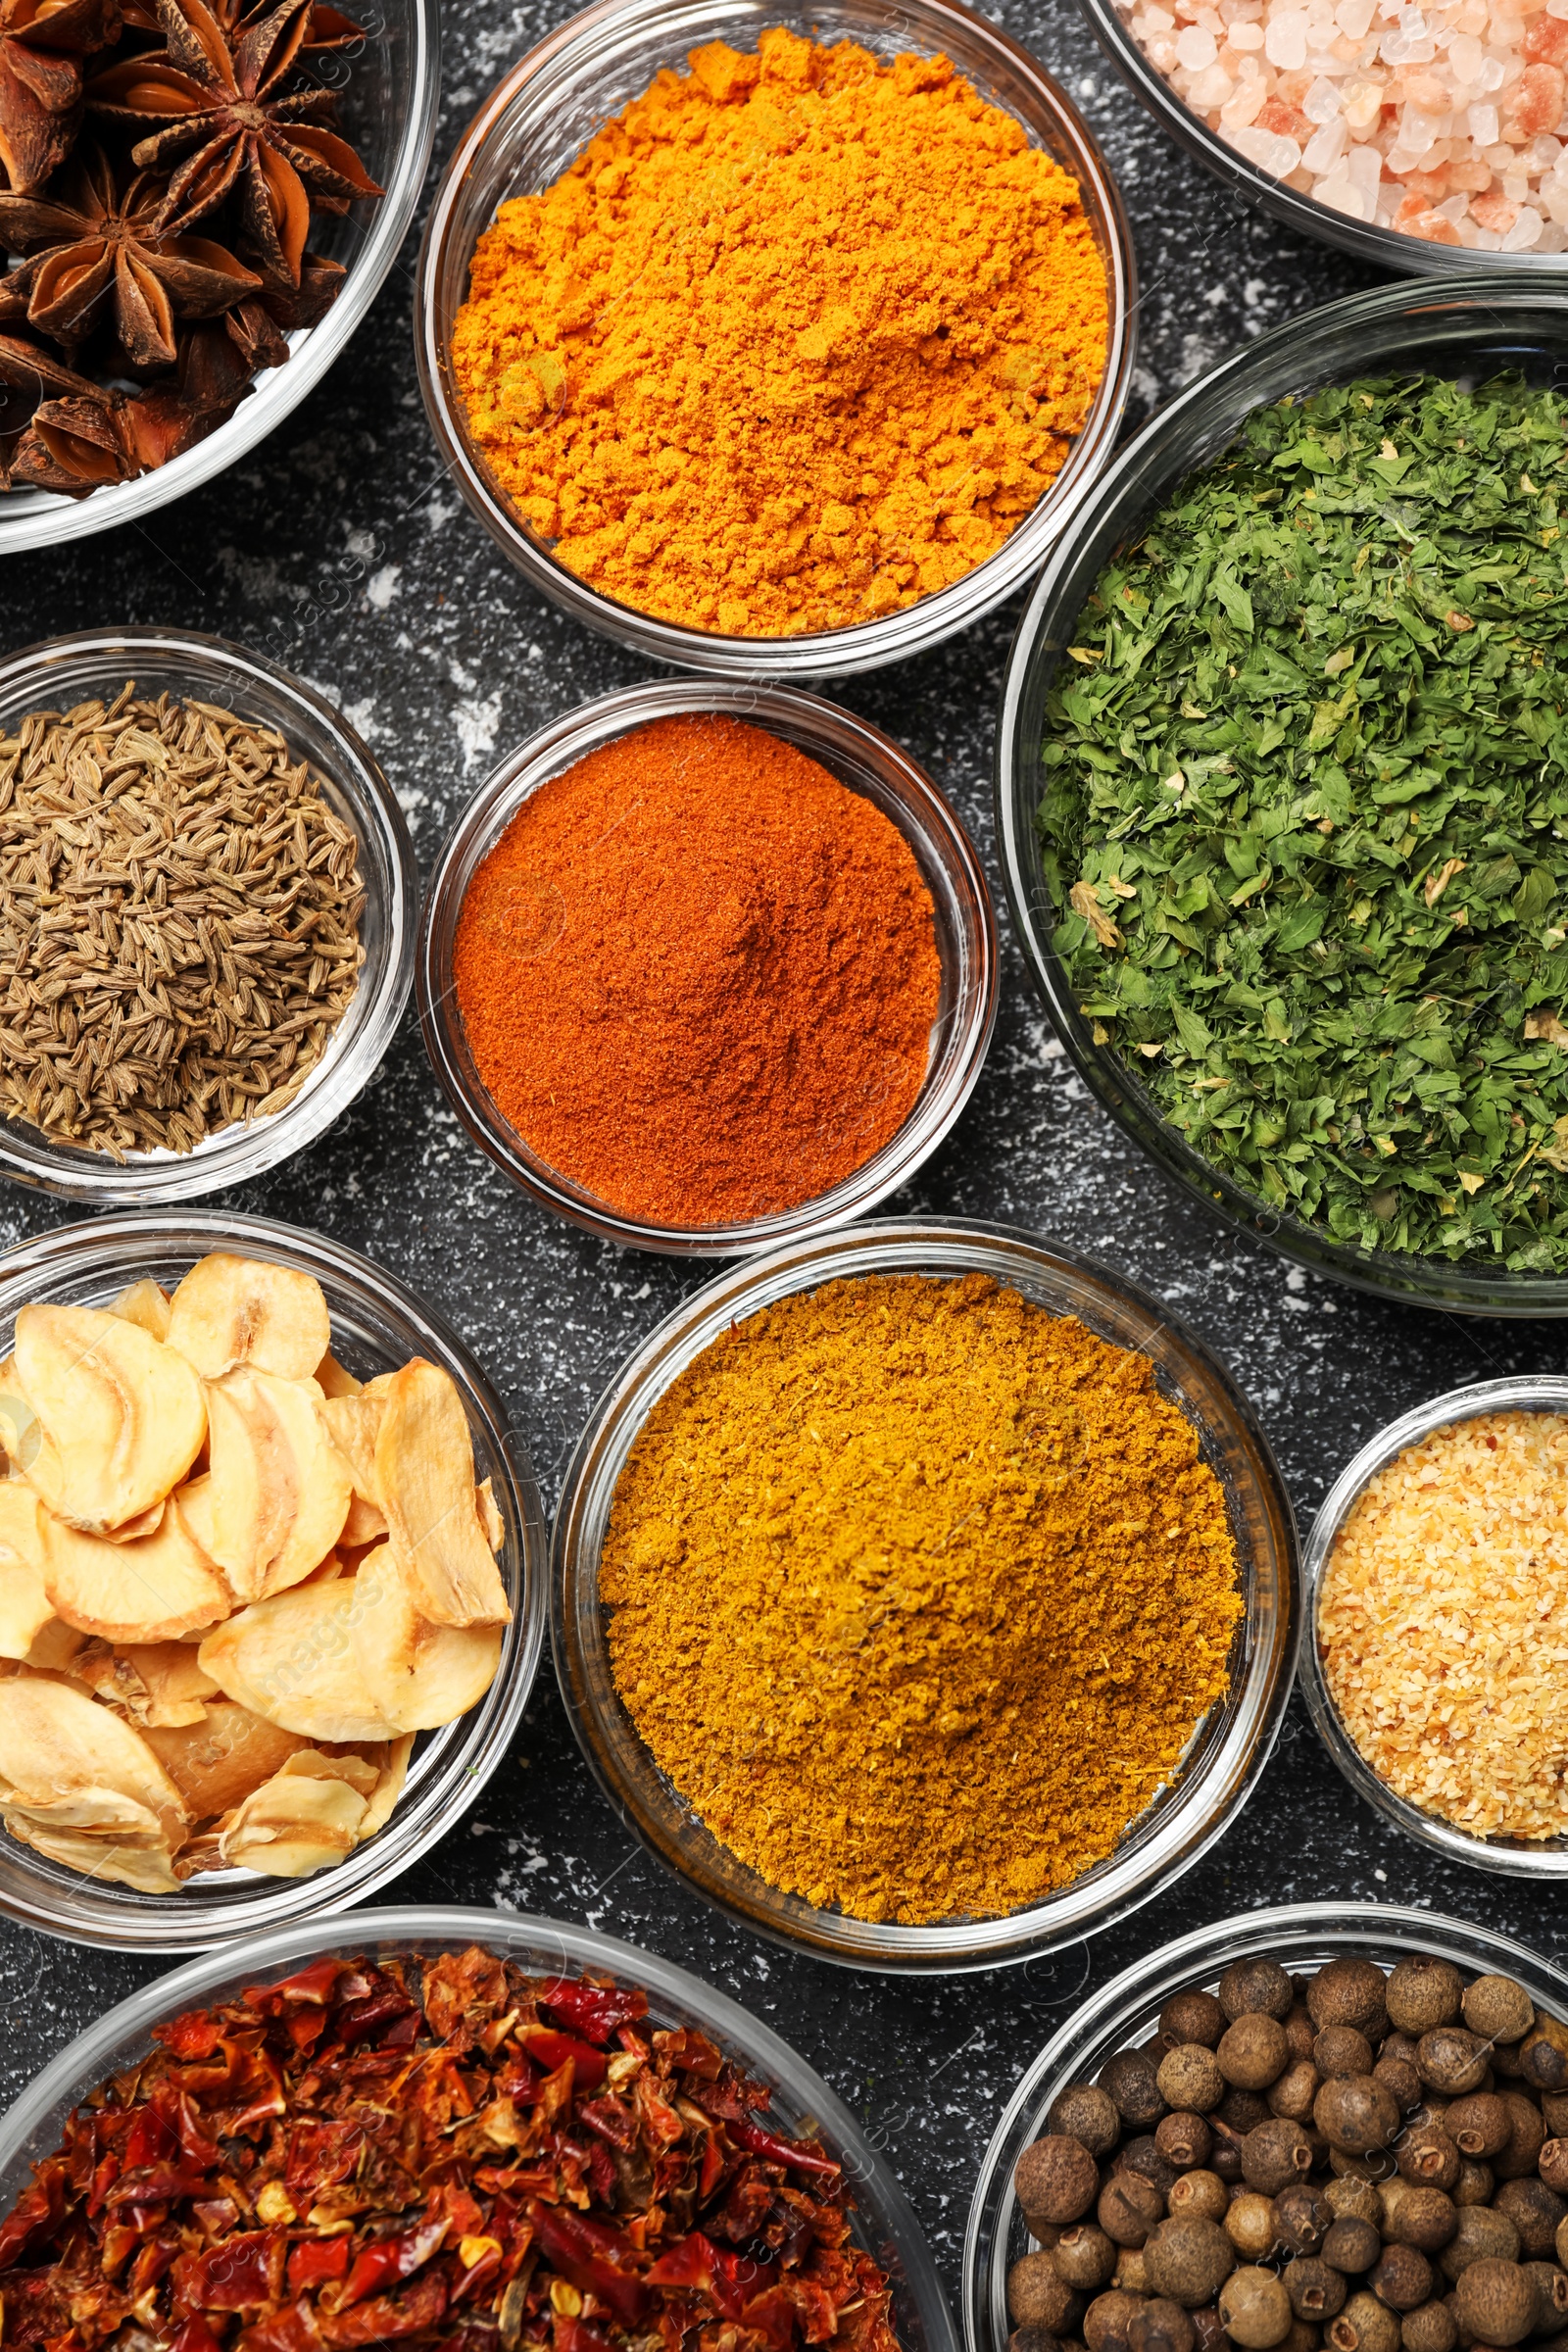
<point>100,248</point>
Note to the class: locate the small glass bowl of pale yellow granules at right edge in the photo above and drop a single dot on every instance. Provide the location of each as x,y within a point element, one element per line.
<point>1438,1598</point>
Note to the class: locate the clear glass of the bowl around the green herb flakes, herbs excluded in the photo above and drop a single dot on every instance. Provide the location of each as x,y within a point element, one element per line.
<point>1466,328</point>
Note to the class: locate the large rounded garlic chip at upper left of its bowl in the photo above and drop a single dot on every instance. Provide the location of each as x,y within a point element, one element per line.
<point>119,1417</point>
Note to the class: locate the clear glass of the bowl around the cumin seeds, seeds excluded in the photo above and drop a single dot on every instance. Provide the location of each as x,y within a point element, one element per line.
<point>95,664</point>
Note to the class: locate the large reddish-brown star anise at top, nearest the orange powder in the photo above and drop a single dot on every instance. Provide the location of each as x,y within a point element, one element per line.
<point>213,98</point>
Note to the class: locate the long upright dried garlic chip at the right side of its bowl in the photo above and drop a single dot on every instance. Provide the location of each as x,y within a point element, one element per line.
<point>424,1478</point>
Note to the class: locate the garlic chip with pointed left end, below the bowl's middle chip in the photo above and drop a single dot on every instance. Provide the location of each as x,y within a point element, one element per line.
<point>295,1662</point>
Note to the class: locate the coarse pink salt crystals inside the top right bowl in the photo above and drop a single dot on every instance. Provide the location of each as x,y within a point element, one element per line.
<point>1442,123</point>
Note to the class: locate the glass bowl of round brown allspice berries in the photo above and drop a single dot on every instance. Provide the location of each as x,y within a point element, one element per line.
<point>1311,2130</point>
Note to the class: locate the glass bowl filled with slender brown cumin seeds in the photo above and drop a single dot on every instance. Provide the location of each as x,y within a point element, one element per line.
<point>206,916</point>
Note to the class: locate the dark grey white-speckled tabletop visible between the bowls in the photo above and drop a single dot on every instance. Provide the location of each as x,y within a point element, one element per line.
<point>342,552</point>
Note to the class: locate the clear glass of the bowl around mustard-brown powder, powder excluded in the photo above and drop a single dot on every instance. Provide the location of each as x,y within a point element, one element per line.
<point>1092,1904</point>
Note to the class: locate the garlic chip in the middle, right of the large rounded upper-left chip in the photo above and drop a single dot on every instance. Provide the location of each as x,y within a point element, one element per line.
<point>281,1488</point>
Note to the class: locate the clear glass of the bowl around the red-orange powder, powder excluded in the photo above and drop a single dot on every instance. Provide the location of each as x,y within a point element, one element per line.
<point>871,766</point>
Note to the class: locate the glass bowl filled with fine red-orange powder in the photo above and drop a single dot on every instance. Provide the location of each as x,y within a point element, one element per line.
<point>706,968</point>
